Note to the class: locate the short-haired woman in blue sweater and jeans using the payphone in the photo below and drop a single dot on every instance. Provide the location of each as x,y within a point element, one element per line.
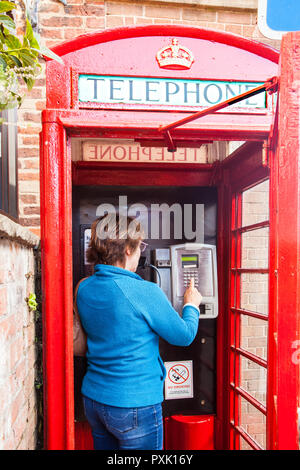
<point>124,316</point>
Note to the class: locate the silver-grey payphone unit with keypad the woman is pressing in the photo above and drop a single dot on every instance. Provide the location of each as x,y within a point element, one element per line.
<point>197,261</point>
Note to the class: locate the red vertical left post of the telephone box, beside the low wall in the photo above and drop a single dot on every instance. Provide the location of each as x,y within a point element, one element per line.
<point>56,244</point>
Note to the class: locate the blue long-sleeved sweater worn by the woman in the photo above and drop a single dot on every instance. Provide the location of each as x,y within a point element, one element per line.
<point>123,316</point>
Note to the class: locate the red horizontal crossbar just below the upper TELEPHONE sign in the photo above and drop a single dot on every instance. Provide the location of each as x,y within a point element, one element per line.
<point>145,124</point>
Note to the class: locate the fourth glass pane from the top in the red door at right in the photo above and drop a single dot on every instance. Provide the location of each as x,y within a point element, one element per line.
<point>254,336</point>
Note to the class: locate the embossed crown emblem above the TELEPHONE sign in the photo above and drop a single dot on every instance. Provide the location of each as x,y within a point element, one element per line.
<point>175,57</point>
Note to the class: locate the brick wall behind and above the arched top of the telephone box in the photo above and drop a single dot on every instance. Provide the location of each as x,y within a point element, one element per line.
<point>58,23</point>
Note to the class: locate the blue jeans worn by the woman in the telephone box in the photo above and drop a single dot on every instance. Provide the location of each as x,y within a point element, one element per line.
<point>115,428</point>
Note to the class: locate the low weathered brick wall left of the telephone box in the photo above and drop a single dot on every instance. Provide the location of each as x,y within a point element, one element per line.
<point>18,407</point>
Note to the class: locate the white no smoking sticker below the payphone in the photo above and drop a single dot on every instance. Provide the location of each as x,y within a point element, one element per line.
<point>179,380</point>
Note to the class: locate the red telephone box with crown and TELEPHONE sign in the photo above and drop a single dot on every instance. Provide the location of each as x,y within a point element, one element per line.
<point>144,90</point>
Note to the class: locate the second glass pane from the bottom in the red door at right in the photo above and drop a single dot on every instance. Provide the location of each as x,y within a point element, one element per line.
<point>253,379</point>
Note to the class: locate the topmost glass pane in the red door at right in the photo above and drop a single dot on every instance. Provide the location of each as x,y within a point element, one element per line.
<point>255,204</point>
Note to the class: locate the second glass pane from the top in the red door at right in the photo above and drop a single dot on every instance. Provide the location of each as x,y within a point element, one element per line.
<point>255,248</point>
